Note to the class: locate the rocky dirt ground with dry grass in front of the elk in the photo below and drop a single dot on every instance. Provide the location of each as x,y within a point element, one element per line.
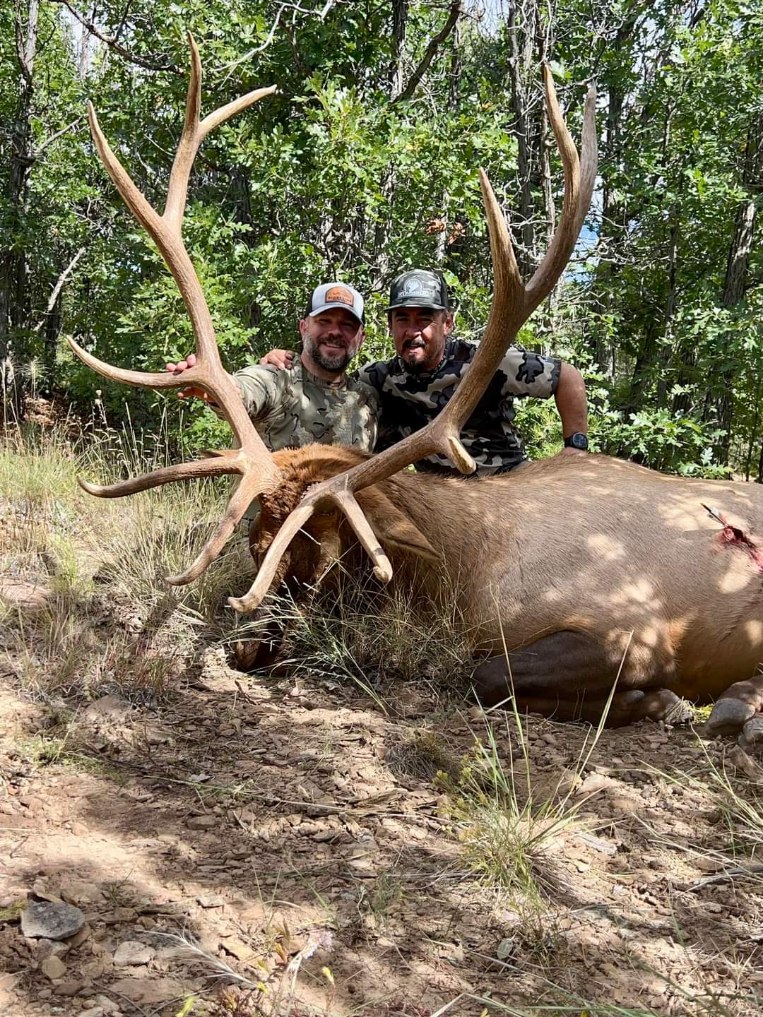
<point>294,845</point>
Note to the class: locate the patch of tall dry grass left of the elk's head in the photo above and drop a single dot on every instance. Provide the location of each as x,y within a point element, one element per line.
<point>109,622</point>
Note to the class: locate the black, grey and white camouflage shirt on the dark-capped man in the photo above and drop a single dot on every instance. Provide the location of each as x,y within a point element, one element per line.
<point>410,401</point>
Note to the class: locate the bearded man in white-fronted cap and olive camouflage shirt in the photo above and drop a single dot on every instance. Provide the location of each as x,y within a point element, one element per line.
<point>314,400</point>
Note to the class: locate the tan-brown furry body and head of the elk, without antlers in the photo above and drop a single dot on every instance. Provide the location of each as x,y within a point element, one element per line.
<point>586,570</point>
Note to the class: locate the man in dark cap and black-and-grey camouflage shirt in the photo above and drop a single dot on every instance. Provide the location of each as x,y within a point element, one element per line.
<point>417,384</point>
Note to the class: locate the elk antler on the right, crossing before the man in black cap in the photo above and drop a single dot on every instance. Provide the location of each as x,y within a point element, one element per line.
<point>513,303</point>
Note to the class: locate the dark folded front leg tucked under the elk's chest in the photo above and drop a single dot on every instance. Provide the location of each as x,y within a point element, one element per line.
<point>569,676</point>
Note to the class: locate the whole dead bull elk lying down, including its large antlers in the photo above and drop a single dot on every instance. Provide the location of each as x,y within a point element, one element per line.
<point>573,574</point>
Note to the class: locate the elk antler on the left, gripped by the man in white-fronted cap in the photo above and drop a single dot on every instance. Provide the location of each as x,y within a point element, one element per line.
<point>252,460</point>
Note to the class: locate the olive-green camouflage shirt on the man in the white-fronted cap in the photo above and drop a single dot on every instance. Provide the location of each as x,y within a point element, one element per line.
<point>294,408</point>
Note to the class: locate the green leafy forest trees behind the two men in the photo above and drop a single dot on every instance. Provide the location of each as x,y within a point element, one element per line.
<point>365,164</point>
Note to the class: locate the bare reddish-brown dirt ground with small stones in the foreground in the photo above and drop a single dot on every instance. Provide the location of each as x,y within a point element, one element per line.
<point>292,842</point>
